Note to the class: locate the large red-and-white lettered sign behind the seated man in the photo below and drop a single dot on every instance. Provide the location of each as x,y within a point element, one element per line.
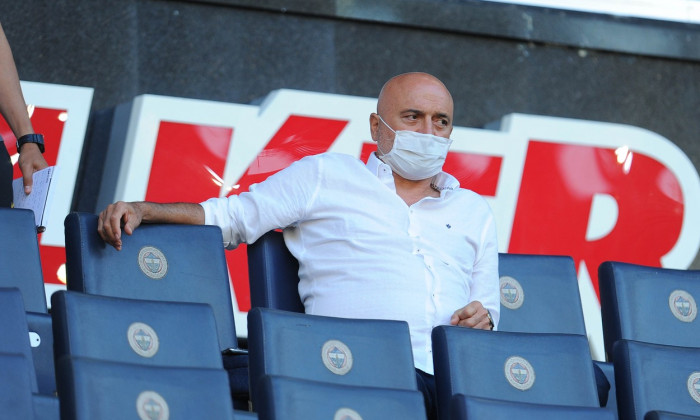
<point>595,191</point>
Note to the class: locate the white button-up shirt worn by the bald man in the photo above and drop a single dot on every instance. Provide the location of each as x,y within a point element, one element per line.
<point>364,253</point>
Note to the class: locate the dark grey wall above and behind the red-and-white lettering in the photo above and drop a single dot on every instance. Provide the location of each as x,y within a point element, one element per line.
<point>496,58</point>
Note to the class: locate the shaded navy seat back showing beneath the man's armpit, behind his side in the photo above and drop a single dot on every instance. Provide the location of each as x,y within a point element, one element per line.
<point>274,274</point>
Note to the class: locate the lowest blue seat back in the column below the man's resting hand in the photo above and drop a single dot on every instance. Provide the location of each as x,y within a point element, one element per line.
<point>105,390</point>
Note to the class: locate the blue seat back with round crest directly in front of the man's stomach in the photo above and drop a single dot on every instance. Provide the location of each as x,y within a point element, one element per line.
<point>335,350</point>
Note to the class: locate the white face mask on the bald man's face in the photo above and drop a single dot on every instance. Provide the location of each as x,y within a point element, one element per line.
<point>415,156</point>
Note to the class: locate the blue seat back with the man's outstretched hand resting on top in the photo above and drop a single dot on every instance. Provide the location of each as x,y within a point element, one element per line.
<point>182,263</point>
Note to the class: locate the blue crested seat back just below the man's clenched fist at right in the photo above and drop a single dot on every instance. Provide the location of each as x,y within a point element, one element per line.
<point>523,367</point>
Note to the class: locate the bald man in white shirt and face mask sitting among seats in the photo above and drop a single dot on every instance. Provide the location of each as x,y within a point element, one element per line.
<point>392,238</point>
